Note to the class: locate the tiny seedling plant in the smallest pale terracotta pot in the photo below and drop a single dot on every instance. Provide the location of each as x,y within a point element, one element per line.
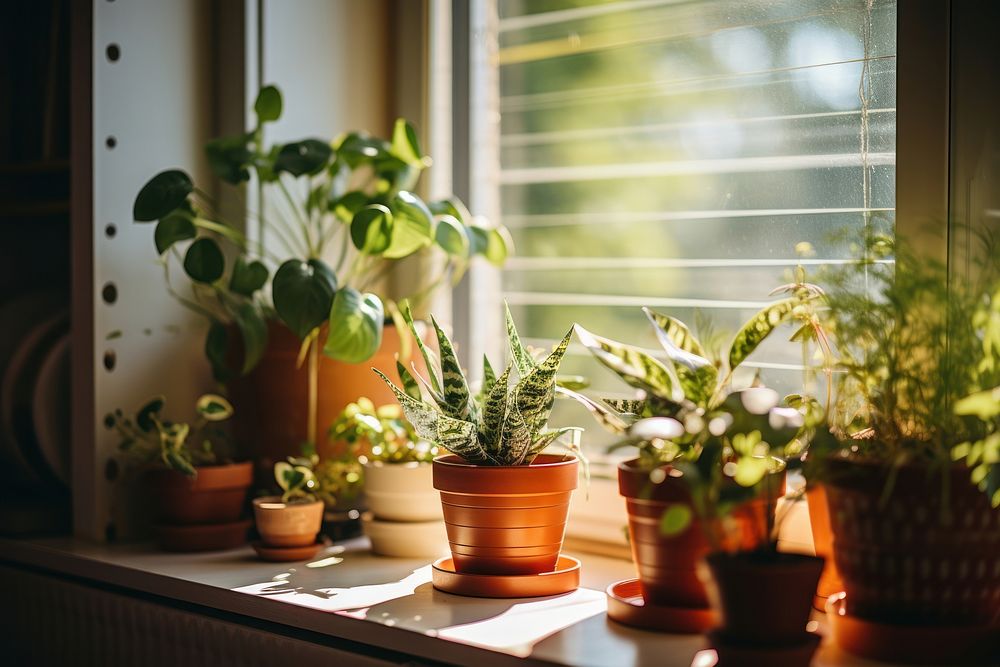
<point>288,524</point>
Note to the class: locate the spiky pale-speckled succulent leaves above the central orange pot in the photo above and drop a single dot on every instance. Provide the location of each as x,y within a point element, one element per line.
<point>504,424</point>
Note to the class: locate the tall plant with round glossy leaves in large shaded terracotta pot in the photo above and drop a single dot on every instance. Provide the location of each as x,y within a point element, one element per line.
<point>331,220</point>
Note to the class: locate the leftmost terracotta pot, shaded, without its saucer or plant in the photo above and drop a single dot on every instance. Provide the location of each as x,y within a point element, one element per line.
<point>215,495</point>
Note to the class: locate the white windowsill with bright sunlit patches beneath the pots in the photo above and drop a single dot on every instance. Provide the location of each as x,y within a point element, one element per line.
<point>381,602</point>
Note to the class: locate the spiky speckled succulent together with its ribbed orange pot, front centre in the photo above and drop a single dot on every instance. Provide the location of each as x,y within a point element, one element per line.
<point>505,502</point>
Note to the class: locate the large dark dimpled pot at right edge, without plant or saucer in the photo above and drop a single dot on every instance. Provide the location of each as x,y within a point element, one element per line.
<point>902,562</point>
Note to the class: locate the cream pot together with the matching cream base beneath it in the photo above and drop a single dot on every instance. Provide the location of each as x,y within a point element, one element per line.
<point>405,518</point>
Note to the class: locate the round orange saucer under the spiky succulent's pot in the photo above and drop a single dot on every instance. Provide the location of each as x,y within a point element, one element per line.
<point>564,579</point>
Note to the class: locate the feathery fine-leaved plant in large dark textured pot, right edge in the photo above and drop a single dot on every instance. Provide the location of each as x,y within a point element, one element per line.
<point>910,469</point>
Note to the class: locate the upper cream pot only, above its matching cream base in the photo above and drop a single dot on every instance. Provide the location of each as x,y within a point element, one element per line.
<point>402,491</point>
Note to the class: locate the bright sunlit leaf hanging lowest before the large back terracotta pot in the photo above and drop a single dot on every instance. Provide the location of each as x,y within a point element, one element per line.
<point>356,322</point>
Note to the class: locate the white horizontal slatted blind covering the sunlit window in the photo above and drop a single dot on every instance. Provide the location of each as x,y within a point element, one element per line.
<point>672,154</point>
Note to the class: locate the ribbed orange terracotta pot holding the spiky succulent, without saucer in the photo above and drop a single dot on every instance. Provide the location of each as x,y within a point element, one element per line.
<point>498,511</point>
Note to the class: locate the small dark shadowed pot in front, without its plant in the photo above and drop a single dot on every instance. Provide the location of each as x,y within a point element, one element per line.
<point>763,598</point>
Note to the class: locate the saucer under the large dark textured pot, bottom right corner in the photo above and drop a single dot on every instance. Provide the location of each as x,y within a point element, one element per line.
<point>914,644</point>
